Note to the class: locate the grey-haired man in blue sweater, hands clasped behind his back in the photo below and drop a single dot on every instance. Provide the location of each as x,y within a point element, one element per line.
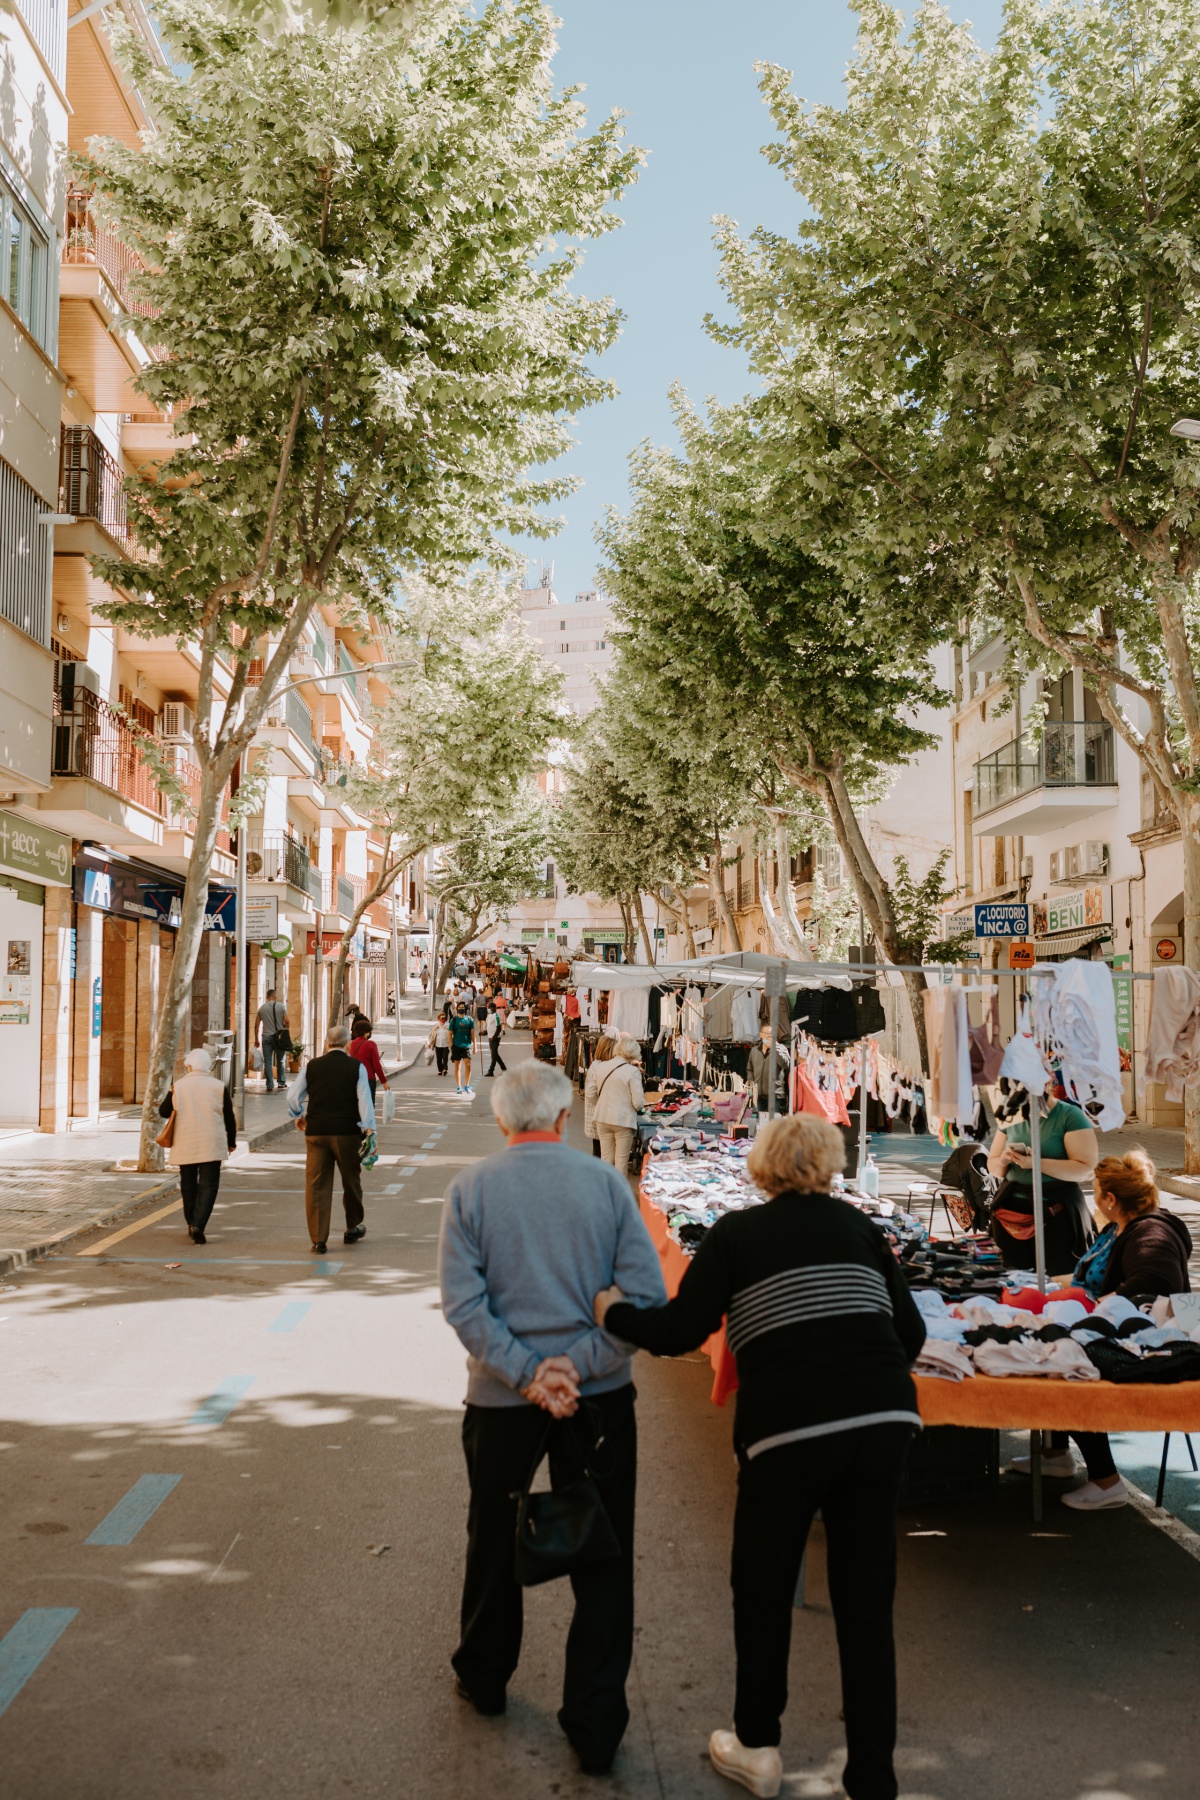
<point>530,1236</point>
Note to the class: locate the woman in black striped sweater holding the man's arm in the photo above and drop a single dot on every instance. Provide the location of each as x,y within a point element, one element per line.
<point>825,1333</point>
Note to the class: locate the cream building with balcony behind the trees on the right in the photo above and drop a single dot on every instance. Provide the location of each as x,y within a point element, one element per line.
<point>1052,807</point>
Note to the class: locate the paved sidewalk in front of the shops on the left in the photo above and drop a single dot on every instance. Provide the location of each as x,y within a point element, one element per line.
<point>57,1185</point>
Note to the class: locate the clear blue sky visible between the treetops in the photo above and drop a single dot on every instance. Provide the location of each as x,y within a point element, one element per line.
<point>685,75</point>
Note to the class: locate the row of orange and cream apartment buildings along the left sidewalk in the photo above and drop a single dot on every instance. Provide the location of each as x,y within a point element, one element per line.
<point>93,852</point>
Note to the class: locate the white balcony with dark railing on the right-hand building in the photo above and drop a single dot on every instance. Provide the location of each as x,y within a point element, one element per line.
<point>1037,787</point>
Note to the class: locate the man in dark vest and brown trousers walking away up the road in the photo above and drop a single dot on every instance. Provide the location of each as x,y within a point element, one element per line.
<point>337,1095</point>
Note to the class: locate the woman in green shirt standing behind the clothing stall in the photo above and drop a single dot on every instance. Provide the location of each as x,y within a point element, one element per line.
<point>1070,1153</point>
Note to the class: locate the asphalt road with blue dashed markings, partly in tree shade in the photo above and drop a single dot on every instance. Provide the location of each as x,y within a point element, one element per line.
<point>253,1428</point>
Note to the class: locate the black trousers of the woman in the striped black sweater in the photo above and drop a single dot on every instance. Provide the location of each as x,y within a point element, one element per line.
<point>854,1477</point>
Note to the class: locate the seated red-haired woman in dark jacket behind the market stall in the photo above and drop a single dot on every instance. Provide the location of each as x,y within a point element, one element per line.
<point>1147,1257</point>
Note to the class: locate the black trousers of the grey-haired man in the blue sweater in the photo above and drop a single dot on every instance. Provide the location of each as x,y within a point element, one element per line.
<point>501,1444</point>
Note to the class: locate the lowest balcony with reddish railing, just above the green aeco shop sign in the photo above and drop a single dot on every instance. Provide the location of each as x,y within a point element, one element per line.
<point>102,784</point>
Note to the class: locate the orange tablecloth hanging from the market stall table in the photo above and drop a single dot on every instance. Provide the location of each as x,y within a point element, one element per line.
<point>1014,1403</point>
